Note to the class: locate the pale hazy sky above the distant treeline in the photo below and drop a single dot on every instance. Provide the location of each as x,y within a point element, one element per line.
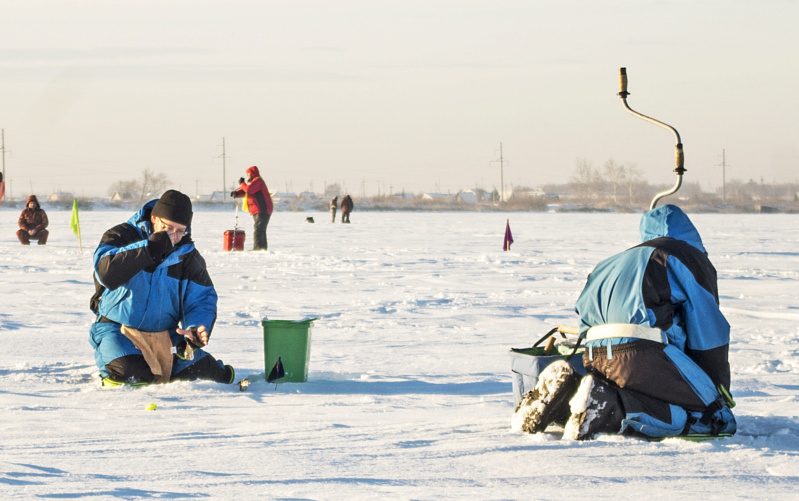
<point>393,95</point>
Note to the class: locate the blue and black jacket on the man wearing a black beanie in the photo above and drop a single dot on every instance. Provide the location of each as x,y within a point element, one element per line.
<point>136,289</point>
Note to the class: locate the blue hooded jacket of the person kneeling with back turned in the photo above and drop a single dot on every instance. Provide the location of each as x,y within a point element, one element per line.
<point>666,282</point>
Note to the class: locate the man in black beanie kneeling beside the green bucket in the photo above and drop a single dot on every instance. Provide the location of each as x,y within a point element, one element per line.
<point>154,300</point>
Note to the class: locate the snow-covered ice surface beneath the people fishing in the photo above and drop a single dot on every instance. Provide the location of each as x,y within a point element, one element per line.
<point>409,391</point>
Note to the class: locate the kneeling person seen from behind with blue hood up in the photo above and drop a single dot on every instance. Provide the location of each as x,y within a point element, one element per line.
<point>656,345</point>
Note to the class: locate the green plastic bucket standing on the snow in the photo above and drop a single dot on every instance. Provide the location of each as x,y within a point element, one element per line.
<point>291,342</point>
